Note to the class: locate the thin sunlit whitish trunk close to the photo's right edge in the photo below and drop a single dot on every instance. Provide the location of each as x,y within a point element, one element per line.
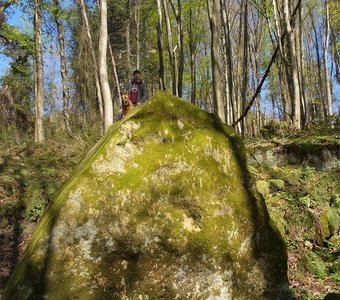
<point>326,47</point>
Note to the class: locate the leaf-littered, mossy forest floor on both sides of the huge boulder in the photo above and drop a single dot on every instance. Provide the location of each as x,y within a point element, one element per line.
<point>308,198</point>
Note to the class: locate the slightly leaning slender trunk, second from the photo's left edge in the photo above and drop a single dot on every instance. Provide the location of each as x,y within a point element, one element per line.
<point>63,69</point>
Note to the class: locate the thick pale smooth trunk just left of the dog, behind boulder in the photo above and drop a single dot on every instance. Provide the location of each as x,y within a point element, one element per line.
<point>104,82</point>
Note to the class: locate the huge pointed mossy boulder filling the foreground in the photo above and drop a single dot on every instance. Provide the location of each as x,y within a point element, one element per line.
<point>163,207</point>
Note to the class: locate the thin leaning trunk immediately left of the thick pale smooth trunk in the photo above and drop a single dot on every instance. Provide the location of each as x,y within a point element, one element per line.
<point>82,7</point>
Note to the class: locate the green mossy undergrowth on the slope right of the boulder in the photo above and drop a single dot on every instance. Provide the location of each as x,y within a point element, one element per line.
<point>304,203</point>
